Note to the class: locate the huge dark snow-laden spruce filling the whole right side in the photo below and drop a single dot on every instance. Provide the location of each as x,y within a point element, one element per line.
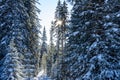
<point>94,41</point>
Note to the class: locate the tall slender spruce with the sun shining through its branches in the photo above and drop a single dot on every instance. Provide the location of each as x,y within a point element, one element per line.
<point>60,30</point>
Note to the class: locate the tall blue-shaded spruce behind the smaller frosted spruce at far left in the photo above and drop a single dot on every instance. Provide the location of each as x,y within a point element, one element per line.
<point>16,22</point>
